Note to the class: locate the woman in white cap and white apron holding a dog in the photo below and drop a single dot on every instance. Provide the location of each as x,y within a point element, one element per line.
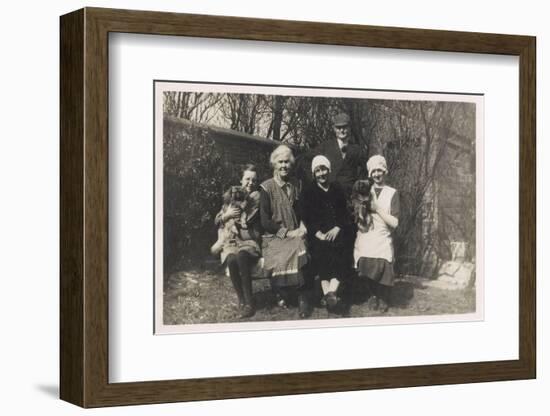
<point>373,251</point>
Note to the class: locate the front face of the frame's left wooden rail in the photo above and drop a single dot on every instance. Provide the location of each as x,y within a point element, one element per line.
<point>96,220</point>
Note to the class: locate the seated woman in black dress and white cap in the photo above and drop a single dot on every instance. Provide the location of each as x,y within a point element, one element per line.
<point>327,220</point>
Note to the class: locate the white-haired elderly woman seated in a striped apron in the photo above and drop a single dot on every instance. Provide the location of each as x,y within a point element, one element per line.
<point>283,242</point>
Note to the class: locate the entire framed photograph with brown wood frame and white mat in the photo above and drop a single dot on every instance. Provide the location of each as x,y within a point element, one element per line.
<point>257,207</point>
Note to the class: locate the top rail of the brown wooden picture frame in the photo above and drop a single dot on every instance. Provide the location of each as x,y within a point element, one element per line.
<point>305,32</point>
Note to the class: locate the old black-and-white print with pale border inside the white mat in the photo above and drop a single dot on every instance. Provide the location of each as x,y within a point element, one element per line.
<point>280,207</point>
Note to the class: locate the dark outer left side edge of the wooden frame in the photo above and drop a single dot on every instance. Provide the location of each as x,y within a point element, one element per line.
<point>71,208</point>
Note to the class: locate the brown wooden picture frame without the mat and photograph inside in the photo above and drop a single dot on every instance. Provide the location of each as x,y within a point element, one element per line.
<point>84,207</point>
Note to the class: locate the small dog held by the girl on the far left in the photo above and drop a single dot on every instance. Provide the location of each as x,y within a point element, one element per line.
<point>234,197</point>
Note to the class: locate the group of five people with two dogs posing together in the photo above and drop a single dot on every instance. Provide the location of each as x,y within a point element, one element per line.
<point>321,235</point>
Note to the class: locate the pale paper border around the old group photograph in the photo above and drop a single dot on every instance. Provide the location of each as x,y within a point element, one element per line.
<point>477,99</point>
